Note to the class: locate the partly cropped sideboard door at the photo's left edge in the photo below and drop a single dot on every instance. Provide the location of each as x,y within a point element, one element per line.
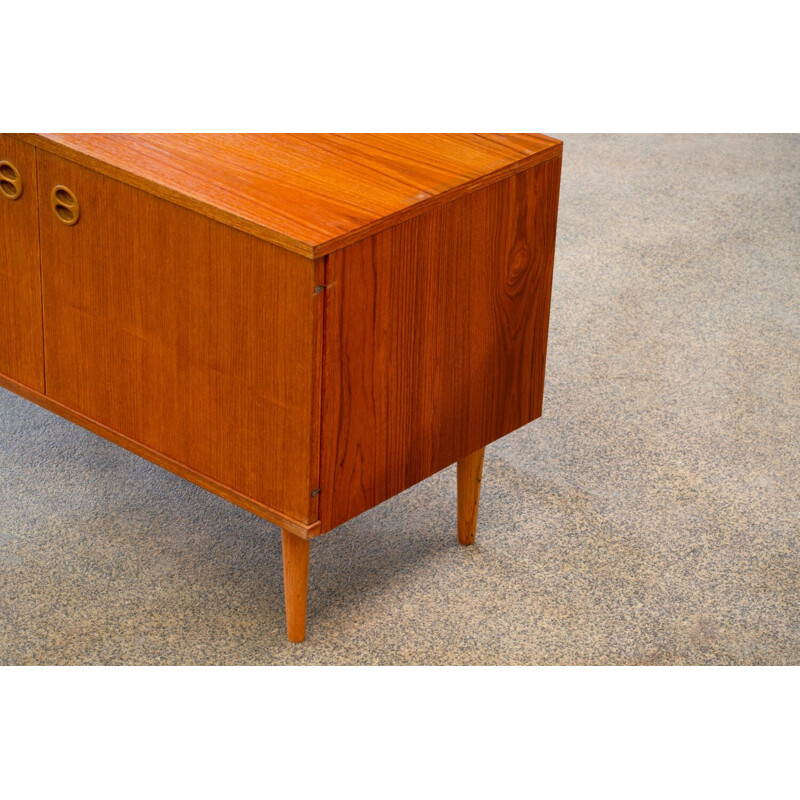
<point>21,355</point>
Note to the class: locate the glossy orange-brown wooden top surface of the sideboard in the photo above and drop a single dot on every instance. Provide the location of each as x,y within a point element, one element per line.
<point>313,192</point>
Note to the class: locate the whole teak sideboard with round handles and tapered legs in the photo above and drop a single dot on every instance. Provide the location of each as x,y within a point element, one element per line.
<point>304,324</point>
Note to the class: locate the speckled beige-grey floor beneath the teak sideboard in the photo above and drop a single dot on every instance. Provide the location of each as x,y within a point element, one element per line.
<point>650,516</point>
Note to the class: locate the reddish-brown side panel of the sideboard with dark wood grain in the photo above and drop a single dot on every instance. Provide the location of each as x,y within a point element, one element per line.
<point>435,339</point>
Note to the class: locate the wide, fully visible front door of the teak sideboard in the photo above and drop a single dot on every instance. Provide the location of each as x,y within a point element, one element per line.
<point>194,339</point>
